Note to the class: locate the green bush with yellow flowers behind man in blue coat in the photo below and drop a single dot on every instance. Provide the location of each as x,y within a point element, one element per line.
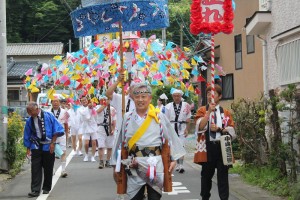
<point>15,151</point>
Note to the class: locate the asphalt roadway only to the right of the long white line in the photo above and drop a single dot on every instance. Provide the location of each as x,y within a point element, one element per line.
<point>86,181</point>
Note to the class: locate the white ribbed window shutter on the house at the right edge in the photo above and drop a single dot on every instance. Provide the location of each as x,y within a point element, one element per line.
<point>289,62</point>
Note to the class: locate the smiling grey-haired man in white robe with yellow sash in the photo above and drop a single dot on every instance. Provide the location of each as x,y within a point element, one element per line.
<point>146,151</point>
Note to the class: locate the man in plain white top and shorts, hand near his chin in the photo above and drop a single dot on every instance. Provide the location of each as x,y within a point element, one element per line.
<point>88,127</point>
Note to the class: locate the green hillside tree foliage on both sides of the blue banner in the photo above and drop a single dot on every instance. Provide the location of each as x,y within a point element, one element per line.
<point>49,21</point>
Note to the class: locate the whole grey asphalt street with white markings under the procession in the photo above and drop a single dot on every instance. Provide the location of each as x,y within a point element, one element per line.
<point>87,182</point>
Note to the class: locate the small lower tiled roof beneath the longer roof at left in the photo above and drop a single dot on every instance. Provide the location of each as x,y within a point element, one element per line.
<point>19,68</point>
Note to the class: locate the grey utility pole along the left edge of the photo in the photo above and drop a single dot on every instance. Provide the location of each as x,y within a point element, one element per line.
<point>3,86</point>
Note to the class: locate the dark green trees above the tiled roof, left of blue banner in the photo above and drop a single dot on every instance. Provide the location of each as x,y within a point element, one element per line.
<point>40,21</point>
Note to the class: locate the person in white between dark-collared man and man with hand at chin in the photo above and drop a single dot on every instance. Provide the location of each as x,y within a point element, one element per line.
<point>74,123</point>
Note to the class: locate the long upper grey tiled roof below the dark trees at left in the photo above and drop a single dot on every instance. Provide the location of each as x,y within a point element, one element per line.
<point>27,49</point>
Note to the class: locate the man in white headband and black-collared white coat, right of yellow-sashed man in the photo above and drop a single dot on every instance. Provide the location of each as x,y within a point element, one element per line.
<point>179,114</point>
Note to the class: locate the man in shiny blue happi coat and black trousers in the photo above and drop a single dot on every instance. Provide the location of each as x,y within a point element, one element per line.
<point>40,134</point>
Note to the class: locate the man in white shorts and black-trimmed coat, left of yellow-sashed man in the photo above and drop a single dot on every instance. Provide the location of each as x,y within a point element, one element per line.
<point>106,129</point>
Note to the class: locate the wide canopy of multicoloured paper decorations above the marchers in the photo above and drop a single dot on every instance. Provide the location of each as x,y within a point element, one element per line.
<point>86,71</point>
